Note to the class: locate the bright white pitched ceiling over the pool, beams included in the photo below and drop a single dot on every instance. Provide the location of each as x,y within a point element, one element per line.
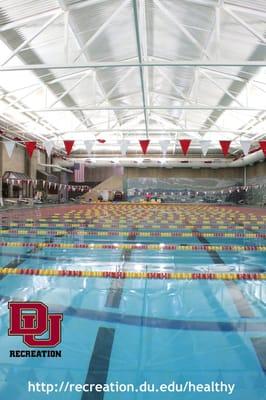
<point>133,69</point>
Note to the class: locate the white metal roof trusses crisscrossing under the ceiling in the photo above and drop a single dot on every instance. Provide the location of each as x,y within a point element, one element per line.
<point>208,66</point>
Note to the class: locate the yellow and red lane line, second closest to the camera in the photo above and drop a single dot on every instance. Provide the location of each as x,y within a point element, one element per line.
<point>119,246</point>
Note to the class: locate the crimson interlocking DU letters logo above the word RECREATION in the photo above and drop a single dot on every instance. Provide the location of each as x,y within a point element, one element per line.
<point>30,319</point>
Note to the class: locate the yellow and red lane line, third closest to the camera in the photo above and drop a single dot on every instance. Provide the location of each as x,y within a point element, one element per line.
<point>45,232</point>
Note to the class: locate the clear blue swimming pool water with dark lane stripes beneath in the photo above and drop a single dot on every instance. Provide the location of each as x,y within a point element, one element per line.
<point>137,330</point>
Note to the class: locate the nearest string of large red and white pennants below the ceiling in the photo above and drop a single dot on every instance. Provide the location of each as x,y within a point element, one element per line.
<point>124,144</point>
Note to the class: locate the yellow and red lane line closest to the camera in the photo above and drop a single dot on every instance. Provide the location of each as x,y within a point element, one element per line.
<point>134,275</point>
